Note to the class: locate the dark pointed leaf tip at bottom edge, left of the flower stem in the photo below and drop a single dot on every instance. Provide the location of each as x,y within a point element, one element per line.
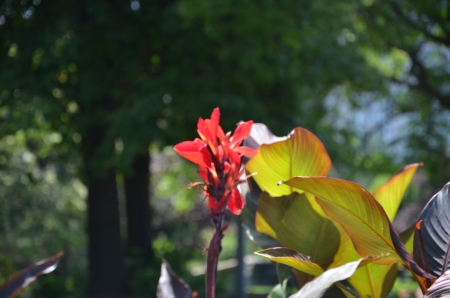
<point>171,286</point>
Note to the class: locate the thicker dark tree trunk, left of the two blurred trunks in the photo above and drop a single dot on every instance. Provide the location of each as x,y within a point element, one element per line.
<point>106,257</point>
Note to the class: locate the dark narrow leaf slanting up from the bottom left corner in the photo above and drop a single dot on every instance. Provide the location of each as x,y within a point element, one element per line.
<point>19,280</point>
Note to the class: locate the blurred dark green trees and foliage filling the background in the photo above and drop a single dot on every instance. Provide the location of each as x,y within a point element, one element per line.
<point>94,93</point>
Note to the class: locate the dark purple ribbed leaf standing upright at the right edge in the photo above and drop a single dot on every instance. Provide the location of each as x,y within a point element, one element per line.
<point>435,233</point>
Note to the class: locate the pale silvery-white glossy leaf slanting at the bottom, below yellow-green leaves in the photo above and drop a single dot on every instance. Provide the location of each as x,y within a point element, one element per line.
<point>317,287</point>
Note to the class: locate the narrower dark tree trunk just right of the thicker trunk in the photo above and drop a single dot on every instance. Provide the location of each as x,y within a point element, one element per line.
<point>138,205</point>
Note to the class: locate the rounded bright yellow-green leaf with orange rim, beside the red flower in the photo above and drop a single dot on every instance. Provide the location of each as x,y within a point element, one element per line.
<point>301,154</point>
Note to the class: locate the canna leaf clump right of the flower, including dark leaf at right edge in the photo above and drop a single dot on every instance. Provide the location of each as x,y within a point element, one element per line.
<point>325,223</point>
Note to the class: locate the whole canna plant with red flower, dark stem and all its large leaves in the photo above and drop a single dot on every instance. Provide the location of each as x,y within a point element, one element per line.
<point>324,229</point>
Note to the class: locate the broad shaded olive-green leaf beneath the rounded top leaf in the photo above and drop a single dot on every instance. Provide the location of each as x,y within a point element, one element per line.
<point>298,222</point>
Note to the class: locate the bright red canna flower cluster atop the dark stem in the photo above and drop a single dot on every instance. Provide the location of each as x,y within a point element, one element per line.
<point>218,156</point>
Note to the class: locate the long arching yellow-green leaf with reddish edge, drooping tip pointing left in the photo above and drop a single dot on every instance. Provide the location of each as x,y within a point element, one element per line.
<point>361,216</point>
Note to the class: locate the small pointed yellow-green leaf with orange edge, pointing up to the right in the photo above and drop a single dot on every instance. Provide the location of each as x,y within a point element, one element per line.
<point>391,193</point>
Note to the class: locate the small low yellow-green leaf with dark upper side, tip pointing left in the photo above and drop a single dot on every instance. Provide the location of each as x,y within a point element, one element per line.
<point>291,258</point>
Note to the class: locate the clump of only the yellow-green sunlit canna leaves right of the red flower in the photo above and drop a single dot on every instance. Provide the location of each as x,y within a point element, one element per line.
<point>361,220</point>
